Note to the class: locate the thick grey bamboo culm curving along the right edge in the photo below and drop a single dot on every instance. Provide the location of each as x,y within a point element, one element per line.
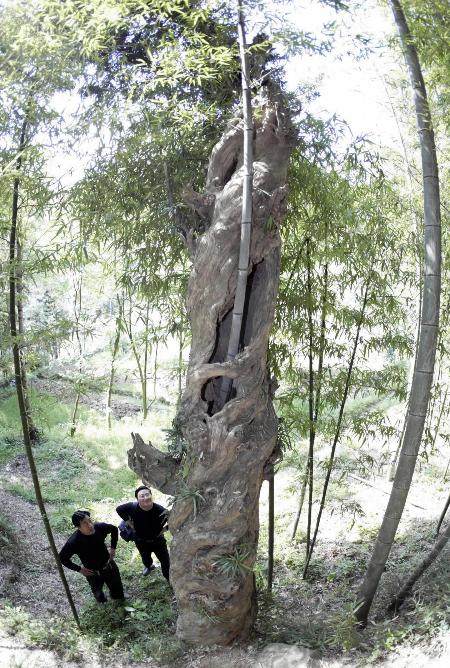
<point>426,353</point>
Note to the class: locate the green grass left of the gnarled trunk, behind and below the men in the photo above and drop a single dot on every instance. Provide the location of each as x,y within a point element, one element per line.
<point>88,471</point>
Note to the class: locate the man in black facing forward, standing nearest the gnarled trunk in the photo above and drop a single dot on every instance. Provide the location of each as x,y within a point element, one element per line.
<point>148,520</point>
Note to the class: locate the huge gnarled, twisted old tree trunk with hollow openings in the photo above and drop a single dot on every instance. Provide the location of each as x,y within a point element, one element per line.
<point>227,449</point>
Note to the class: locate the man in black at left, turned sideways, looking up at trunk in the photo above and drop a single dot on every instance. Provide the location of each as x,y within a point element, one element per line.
<point>88,543</point>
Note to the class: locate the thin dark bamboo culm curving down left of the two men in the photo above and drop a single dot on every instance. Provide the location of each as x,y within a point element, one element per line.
<point>18,373</point>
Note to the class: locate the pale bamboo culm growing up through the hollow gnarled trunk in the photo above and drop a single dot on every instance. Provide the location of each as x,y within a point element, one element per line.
<point>246,218</point>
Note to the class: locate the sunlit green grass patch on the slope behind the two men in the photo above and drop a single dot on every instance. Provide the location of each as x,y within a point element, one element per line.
<point>89,470</point>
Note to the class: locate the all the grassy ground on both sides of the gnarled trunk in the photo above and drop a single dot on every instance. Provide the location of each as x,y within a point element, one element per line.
<point>90,471</point>
